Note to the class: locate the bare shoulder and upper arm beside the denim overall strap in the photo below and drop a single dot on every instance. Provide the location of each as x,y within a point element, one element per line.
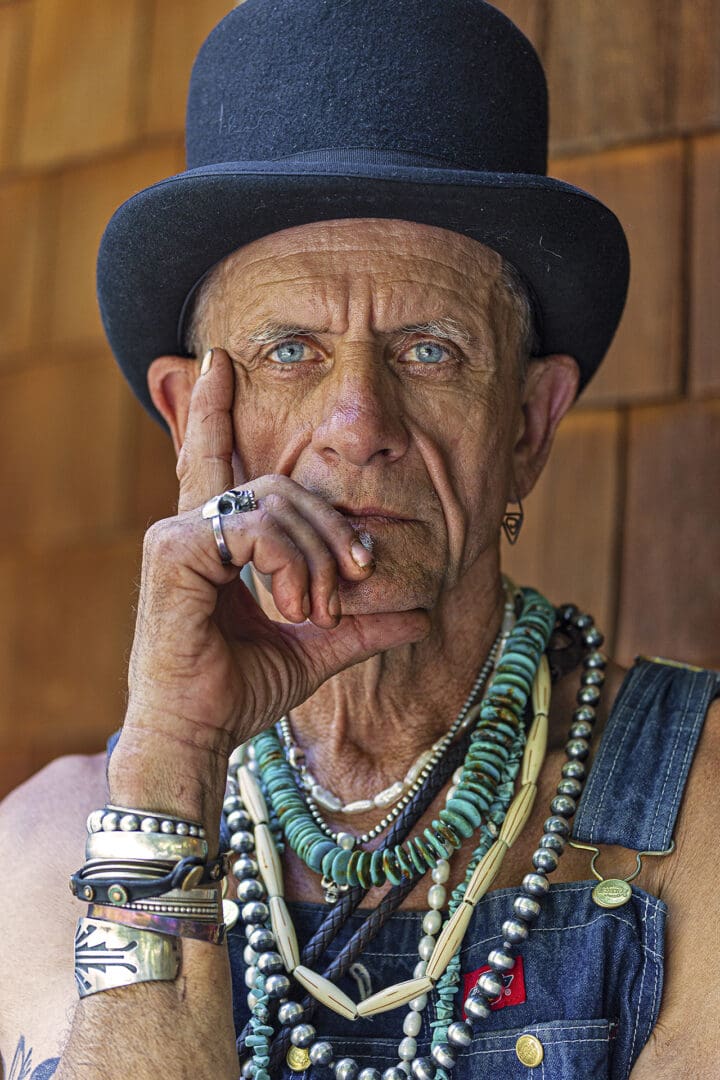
<point>688,885</point>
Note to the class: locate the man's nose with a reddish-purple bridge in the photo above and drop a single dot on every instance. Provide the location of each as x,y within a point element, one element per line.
<point>362,422</point>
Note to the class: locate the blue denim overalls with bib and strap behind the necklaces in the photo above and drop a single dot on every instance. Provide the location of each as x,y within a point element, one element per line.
<point>593,978</point>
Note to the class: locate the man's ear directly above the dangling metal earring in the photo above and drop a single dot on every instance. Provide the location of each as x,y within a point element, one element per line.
<point>551,387</point>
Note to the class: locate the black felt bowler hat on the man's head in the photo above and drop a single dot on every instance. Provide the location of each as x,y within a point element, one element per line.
<point>306,111</point>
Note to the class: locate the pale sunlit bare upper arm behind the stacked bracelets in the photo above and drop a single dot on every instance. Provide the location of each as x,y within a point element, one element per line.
<point>43,828</point>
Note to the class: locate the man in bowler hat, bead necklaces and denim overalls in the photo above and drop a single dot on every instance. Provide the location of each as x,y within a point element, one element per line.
<point>384,352</point>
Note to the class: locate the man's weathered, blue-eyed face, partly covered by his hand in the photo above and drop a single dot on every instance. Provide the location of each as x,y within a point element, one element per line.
<point>376,364</point>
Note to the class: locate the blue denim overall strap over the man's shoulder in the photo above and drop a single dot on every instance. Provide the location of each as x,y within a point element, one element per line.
<point>636,785</point>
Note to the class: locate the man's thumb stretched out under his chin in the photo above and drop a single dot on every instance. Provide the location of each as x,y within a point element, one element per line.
<point>356,639</point>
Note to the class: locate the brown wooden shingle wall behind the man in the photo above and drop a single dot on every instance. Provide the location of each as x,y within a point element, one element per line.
<point>626,520</point>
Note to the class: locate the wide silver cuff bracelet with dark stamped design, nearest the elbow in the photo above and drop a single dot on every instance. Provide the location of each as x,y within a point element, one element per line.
<point>107,955</point>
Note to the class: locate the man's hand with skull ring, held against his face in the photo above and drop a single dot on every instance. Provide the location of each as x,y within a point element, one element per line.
<point>205,654</point>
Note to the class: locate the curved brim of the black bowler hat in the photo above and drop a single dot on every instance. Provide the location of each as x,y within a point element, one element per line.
<point>568,246</point>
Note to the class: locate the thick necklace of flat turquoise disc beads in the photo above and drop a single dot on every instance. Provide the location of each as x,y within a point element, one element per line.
<point>500,723</point>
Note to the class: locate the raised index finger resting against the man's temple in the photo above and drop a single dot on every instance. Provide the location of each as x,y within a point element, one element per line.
<point>205,465</point>
